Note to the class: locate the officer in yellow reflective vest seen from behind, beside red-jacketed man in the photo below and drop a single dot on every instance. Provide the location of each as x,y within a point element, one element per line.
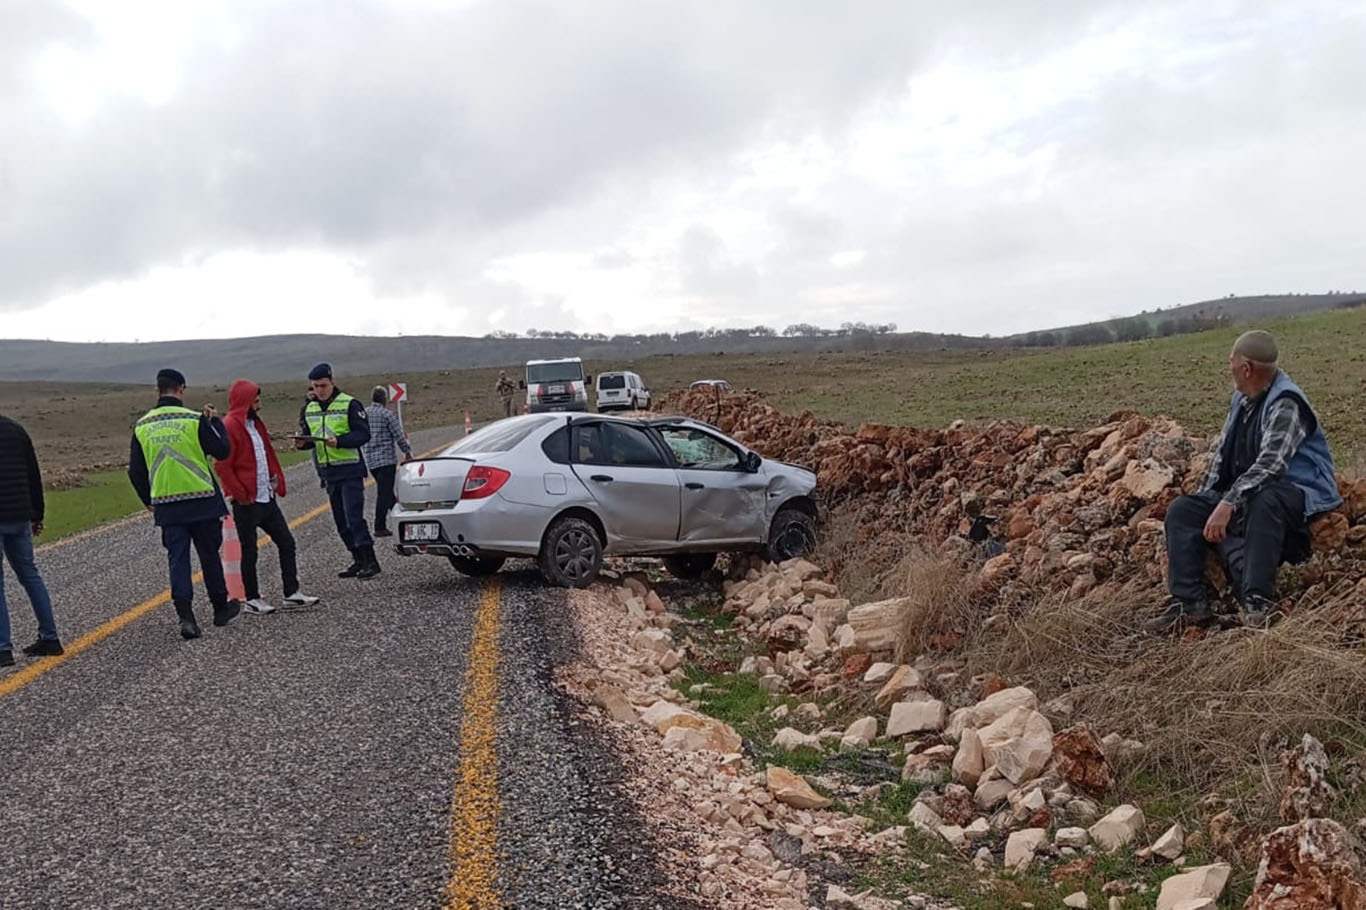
<point>169,467</point>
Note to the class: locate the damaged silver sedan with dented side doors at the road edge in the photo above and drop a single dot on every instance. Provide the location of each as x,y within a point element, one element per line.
<point>572,490</point>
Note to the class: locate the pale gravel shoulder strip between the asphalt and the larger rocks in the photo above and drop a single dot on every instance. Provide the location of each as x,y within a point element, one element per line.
<point>734,836</point>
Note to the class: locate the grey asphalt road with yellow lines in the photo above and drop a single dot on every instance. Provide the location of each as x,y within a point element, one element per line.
<point>397,747</point>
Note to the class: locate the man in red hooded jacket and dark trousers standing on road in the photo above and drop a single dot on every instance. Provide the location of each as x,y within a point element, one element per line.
<point>252,480</point>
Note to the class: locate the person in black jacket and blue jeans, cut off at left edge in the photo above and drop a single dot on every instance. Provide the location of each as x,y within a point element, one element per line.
<point>21,521</point>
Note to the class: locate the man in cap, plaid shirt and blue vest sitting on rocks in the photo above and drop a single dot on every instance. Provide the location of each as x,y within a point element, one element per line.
<point>1272,473</point>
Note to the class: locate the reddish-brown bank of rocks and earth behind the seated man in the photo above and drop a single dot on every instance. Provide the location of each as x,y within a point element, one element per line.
<point>1073,509</point>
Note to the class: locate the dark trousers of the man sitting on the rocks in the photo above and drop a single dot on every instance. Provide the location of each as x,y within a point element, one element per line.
<point>1270,529</point>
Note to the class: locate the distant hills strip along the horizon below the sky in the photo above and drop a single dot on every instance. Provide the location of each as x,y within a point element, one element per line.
<point>285,357</point>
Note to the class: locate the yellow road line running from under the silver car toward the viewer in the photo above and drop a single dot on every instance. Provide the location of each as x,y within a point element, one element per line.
<point>475,808</point>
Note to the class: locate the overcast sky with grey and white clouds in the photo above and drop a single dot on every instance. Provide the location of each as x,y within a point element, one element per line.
<point>176,169</point>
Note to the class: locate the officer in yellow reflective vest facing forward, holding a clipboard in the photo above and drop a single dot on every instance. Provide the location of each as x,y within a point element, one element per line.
<point>335,427</point>
